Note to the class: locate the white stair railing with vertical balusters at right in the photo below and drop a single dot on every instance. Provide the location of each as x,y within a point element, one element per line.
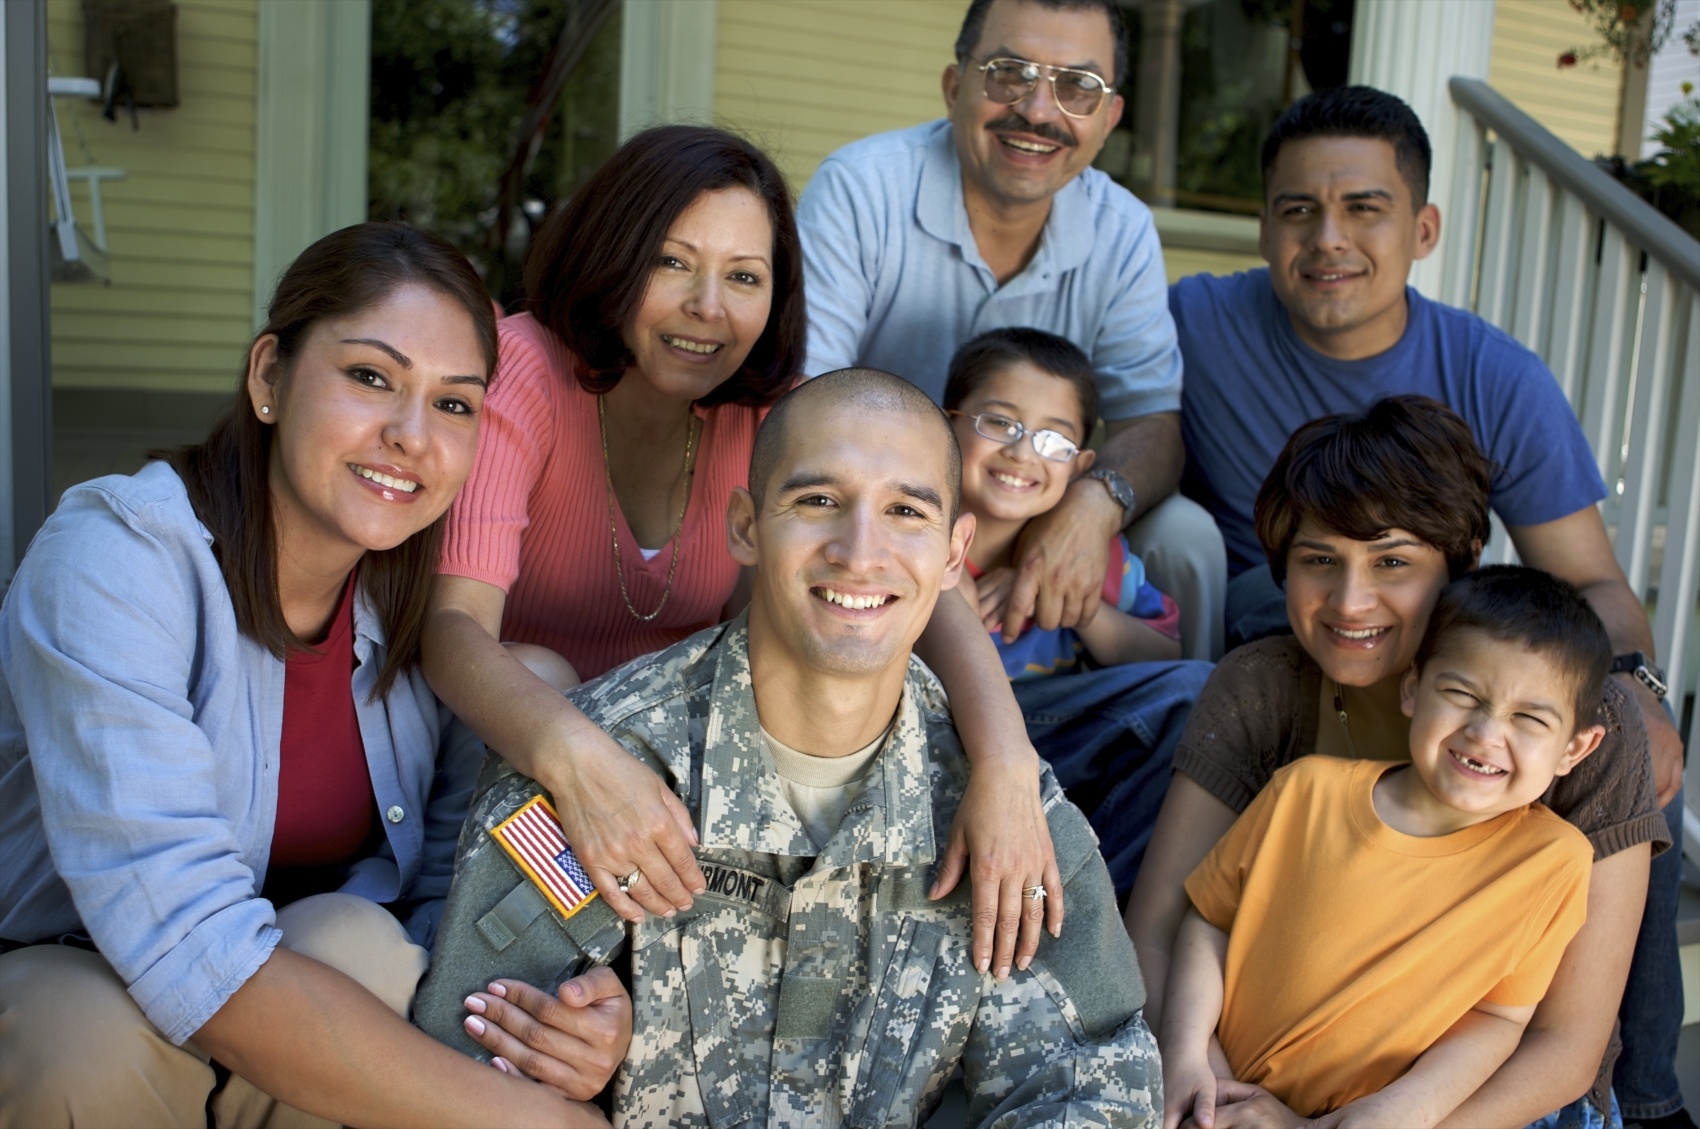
<point>1607,292</point>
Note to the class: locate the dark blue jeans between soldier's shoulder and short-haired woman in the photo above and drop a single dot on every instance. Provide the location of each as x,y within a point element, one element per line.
<point>1111,740</point>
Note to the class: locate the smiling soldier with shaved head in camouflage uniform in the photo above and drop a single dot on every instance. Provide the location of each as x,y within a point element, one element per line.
<point>815,984</point>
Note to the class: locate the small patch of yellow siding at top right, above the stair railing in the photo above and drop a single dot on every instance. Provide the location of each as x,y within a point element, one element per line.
<point>1578,105</point>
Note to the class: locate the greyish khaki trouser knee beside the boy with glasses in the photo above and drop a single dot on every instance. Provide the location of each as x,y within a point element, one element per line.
<point>1184,557</point>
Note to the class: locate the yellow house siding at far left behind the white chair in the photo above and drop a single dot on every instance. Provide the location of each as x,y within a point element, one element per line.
<point>179,227</point>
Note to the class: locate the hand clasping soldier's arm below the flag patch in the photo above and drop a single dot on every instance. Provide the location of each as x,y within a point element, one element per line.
<point>572,1041</point>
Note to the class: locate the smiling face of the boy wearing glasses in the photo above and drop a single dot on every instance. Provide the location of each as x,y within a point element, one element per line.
<point>1012,482</point>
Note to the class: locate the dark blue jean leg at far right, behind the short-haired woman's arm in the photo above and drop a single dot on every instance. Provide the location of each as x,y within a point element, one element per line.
<point>1653,999</point>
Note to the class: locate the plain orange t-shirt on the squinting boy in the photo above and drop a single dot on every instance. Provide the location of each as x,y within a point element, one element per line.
<point>1352,948</point>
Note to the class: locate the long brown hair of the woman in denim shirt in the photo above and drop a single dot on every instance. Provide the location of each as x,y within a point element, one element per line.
<point>229,475</point>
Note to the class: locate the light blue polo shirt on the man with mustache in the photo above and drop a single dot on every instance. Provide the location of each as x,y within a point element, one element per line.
<point>895,280</point>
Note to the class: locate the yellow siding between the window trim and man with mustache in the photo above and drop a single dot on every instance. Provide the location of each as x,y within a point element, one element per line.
<point>805,77</point>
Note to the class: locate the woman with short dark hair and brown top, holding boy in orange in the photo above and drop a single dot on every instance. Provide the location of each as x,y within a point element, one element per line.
<point>1366,519</point>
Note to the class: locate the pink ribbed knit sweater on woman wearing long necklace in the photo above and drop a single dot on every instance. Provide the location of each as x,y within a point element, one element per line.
<point>535,516</point>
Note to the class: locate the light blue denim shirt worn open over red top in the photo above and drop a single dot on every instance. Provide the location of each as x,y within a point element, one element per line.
<point>139,756</point>
